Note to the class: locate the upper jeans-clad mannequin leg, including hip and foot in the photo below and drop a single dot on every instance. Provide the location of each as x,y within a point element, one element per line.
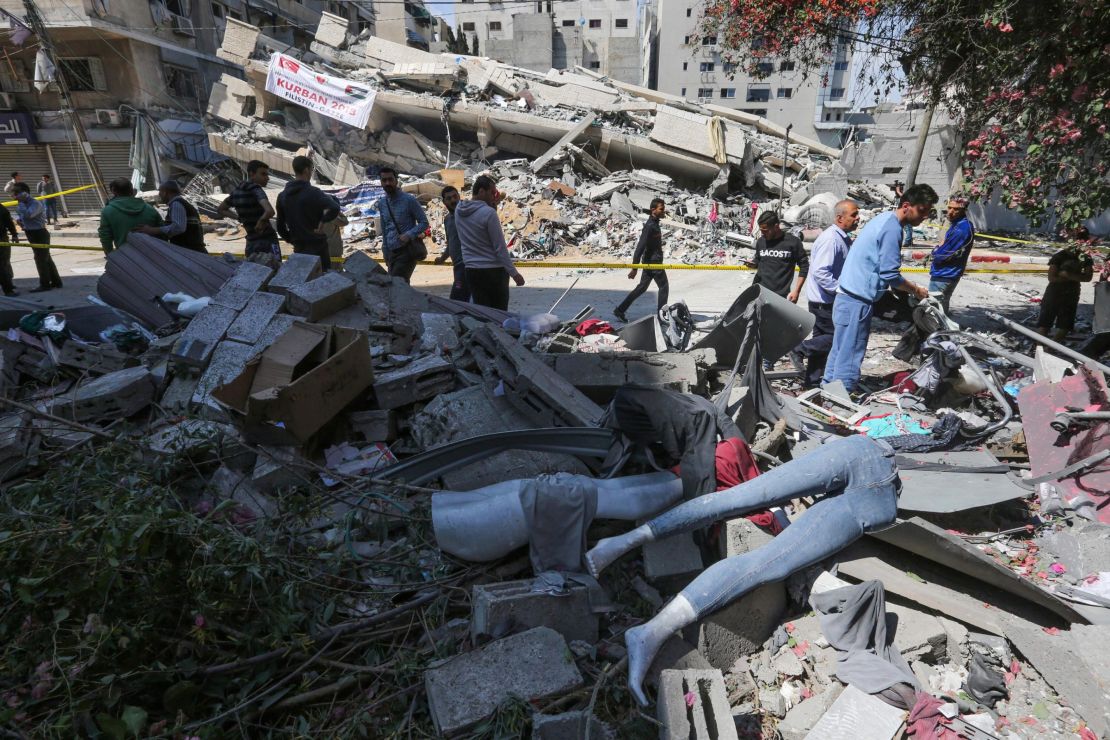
<point>854,462</point>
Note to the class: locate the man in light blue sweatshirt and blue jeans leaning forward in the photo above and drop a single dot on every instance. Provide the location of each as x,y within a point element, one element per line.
<point>873,266</point>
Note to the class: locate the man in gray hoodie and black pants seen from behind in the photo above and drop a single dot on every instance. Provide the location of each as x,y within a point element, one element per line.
<point>489,266</point>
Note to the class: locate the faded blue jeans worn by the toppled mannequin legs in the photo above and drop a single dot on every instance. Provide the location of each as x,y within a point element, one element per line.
<point>856,483</point>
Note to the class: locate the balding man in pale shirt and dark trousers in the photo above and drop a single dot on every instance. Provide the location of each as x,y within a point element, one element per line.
<point>826,263</point>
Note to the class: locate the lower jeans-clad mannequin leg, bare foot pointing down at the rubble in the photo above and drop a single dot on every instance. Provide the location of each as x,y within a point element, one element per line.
<point>824,530</point>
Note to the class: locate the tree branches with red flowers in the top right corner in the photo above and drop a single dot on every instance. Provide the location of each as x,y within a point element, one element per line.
<point>1027,83</point>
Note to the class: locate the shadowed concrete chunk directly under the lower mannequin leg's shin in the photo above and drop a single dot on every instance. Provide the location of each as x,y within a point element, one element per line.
<point>740,629</point>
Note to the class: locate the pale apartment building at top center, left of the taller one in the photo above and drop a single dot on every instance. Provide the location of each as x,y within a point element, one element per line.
<point>603,36</point>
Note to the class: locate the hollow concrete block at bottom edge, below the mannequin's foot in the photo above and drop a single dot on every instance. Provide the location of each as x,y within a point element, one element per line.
<point>710,718</point>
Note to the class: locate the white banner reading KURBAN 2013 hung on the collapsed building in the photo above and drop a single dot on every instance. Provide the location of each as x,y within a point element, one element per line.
<point>337,98</point>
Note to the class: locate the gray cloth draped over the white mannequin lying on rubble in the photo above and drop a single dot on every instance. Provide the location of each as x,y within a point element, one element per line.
<point>559,510</point>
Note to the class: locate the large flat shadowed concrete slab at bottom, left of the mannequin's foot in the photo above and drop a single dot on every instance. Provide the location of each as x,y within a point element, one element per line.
<point>532,665</point>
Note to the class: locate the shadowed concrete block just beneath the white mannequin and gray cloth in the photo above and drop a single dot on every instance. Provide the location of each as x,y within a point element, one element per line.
<point>513,605</point>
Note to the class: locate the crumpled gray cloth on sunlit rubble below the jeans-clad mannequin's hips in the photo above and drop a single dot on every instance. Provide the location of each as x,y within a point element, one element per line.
<point>855,622</point>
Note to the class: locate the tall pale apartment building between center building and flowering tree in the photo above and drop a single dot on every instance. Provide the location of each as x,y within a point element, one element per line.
<point>691,66</point>
